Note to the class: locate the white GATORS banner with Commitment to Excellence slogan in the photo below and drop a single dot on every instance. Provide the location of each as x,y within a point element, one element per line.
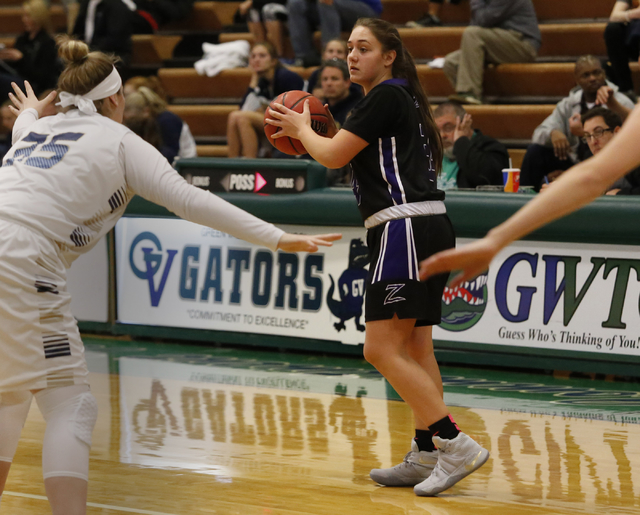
<point>175,273</point>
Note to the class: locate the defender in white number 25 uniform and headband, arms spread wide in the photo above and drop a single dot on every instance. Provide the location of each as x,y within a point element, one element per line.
<point>63,185</point>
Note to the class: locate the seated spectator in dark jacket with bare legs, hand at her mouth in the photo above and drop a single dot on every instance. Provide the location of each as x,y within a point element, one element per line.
<point>245,127</point>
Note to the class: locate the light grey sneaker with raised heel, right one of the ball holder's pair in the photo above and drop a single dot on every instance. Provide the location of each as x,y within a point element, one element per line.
<point>457,459</point>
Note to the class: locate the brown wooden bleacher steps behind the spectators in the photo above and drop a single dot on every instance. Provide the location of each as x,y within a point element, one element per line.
<point>520,95</point>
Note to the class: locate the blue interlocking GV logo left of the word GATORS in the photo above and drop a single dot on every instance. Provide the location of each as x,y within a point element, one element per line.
<point>152,257</point>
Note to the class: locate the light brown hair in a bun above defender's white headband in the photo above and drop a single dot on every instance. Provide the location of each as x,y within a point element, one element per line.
<point>84,70</point>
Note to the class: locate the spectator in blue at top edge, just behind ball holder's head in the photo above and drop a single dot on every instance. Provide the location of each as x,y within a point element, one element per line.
<point>332,16</point>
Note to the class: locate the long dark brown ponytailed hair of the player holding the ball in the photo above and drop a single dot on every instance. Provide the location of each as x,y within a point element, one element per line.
<point>404,67</point>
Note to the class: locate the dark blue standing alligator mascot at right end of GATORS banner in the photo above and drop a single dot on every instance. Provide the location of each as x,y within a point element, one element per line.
<point>351,286</point>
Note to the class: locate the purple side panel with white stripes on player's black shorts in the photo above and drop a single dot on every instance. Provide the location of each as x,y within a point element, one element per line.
<point>396,261</point>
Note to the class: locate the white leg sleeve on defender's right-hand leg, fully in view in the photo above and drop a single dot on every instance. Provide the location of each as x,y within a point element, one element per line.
<point>71,413</point>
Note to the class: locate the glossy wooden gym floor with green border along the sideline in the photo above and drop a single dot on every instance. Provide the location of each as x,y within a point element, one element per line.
<point>193,430</point>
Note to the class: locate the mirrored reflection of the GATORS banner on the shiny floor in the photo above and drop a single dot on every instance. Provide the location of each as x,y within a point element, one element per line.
<point>198,425</point>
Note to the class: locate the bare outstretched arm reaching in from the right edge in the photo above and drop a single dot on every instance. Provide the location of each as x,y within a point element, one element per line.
<point>575,188</point>
